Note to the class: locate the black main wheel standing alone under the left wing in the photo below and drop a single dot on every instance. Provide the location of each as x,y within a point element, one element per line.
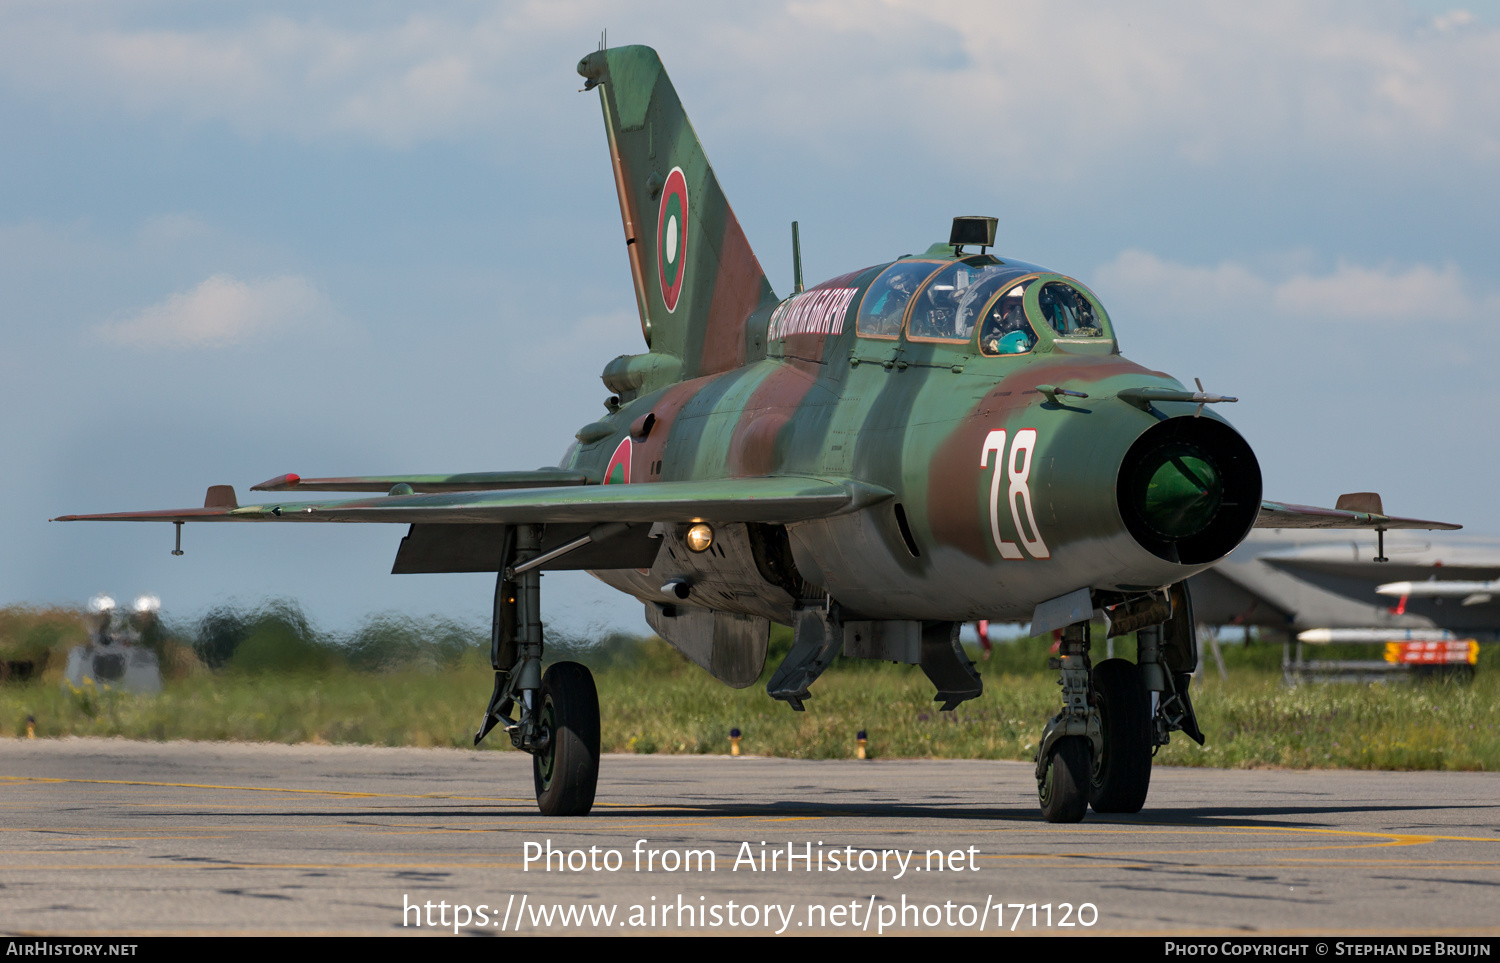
<point>568,770</point>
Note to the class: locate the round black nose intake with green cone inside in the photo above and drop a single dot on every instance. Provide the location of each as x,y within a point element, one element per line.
<point>1190,490</point>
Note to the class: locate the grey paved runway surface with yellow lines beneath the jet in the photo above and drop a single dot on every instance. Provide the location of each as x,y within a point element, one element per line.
<point>113,838</point>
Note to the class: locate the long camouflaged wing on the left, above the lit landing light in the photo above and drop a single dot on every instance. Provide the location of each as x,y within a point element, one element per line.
<point>778,499</point>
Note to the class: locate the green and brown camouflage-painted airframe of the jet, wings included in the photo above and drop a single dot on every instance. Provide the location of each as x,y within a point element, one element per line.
<point>763,416</point>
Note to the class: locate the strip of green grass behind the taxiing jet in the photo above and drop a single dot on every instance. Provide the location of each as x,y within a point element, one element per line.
<point>398,685</point>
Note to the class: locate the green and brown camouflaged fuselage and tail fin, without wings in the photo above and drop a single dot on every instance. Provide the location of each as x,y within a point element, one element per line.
<point>734,397</point>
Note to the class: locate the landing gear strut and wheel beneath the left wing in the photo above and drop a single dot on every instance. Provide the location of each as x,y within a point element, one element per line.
<point>559,722</point>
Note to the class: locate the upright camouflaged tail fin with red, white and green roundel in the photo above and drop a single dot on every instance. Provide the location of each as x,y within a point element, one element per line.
<point>697,280</point>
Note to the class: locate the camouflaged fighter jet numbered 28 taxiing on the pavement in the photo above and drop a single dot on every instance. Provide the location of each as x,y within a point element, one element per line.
<point>875,461</point>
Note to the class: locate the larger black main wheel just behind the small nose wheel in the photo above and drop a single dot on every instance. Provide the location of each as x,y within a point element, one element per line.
<point>1123,773</point>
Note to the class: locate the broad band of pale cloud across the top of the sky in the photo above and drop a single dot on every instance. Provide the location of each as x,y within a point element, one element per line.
<point>1040,86</point>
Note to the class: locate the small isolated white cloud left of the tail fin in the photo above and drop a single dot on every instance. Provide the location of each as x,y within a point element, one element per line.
<point>220,313</point>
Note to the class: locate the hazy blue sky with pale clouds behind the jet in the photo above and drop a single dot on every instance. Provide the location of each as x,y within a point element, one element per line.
<point>239,241</point>
